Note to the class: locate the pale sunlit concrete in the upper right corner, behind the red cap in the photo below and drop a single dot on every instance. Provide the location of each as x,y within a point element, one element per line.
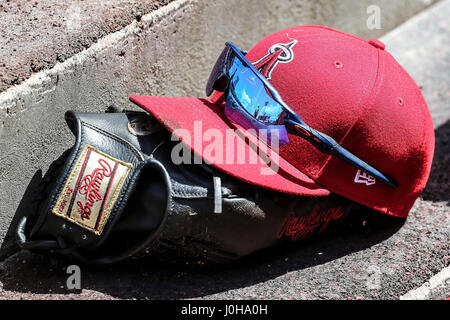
<point>422,46</point>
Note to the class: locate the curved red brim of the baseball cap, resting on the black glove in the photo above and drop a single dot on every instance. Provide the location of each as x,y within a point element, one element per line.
<point>181,113</point>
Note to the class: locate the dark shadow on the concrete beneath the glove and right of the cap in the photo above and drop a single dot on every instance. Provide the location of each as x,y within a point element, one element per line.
<point>150,279</point>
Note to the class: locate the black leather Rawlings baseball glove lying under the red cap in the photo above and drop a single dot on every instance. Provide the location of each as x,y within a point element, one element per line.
<point>116,194</point>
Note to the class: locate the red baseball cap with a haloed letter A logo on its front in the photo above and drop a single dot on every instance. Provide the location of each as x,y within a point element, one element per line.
<point>352,90</point>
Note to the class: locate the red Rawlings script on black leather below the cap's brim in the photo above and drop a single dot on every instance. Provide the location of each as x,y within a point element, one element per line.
<point>303,227</point>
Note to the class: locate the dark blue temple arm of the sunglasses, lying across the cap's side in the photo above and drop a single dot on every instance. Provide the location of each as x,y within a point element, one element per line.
<point>328,145</point>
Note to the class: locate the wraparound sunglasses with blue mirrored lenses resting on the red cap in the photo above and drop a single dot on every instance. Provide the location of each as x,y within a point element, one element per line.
<point>254,104</point>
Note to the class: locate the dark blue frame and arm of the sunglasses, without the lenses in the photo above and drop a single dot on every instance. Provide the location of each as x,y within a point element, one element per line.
<point>296,126</point>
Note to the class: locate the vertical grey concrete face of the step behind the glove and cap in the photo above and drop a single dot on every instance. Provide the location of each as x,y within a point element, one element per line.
<point>168,52</point>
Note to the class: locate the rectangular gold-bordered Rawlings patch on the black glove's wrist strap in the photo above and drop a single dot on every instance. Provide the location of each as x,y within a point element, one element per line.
<point>92,189</point>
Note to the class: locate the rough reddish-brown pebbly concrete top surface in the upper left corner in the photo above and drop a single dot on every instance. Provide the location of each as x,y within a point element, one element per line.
<point>35,35</point>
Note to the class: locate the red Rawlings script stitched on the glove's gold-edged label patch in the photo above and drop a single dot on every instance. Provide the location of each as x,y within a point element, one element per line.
<point>90,188</point>
